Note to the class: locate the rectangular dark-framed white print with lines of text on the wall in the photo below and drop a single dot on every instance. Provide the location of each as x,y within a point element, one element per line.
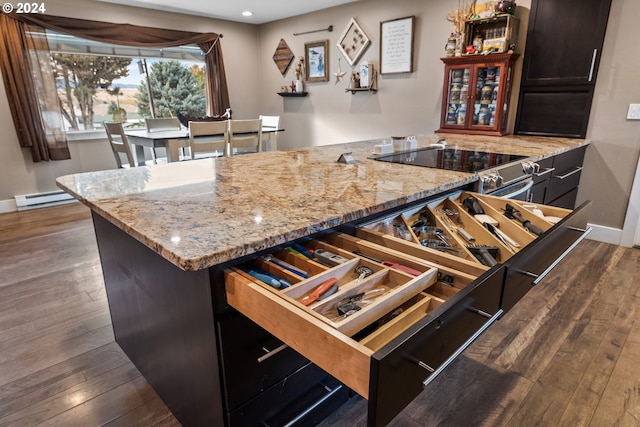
<point>396,45</point>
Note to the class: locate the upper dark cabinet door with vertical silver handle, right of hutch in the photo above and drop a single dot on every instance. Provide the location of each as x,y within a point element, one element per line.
<point>564,41</point>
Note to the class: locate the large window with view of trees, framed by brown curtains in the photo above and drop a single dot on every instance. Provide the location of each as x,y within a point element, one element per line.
<point>99,82</point>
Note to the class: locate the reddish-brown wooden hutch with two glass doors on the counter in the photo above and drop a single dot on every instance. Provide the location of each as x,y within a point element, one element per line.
<point>476,94</point>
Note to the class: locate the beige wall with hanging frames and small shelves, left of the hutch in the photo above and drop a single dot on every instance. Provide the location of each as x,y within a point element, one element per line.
<point>404,104</point>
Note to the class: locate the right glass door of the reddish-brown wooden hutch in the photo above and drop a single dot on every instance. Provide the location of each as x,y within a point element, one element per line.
<point>486,112</point>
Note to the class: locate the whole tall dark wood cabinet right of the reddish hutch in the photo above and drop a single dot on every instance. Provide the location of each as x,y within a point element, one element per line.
<point>560,66</point>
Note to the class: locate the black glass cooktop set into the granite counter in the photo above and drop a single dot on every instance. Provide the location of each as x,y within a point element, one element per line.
<point>450,158</point>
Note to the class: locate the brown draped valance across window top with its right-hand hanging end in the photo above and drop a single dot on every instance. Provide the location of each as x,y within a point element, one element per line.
<point>139,36</point>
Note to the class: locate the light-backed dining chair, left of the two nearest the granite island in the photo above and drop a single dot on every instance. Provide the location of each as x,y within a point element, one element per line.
<point>210,138</point>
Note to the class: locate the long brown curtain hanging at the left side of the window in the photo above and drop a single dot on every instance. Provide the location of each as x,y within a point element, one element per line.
<point>30,86</point>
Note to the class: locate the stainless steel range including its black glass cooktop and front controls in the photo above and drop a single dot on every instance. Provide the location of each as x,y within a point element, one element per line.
<point>499,174</point>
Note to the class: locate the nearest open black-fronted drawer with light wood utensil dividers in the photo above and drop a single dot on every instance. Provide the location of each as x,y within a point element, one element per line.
<point>388,350</point>
